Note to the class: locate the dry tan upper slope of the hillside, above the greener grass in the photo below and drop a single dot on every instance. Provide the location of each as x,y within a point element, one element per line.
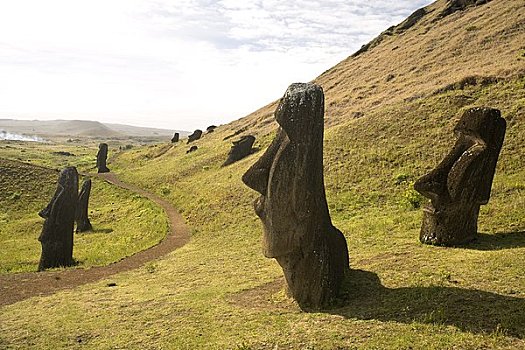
<point>483,43</point>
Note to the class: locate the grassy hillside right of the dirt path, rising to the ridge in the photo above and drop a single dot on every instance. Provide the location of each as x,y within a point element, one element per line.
<point>219,292</point>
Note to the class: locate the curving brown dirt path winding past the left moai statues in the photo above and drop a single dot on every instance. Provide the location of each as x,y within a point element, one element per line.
<point>20,286</point>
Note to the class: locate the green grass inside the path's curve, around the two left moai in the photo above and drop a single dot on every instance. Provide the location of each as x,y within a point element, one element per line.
<point>123,223</point>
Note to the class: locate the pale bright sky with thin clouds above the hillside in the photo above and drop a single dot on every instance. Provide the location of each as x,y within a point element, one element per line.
<point>179,64</point>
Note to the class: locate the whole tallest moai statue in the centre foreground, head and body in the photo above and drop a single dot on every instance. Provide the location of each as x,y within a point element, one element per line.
<point>298,231</point>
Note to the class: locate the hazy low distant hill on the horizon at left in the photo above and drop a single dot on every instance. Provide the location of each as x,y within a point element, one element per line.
<point>81,128</point>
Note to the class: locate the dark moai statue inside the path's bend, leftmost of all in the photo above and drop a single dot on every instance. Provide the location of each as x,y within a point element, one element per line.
<point>57,234</point>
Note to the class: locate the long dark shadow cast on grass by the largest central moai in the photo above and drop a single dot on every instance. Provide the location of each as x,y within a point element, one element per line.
<point>469,310</point>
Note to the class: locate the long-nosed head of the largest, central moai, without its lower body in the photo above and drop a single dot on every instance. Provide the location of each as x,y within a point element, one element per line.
<point>289,175</point>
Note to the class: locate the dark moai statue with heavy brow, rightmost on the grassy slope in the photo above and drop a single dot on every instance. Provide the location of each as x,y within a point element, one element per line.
<point>462,182</point>
